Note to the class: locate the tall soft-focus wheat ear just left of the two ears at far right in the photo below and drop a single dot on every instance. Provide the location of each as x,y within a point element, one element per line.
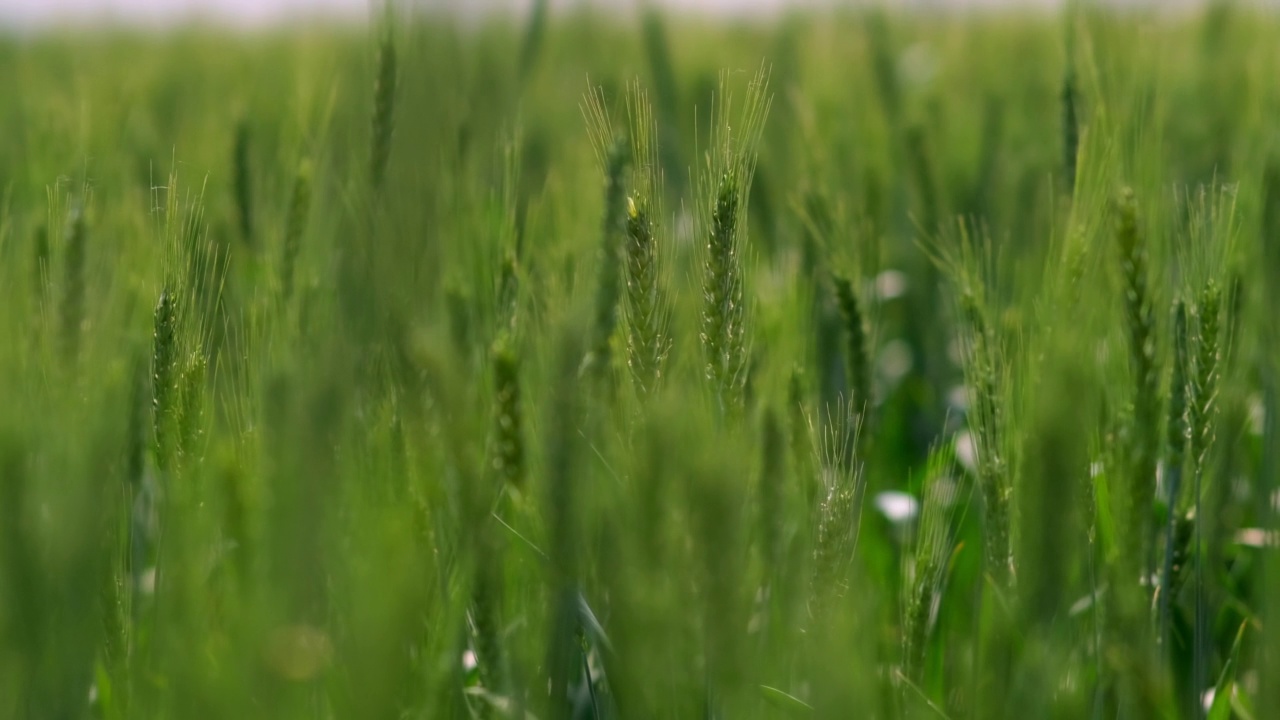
<point>1141,325</point>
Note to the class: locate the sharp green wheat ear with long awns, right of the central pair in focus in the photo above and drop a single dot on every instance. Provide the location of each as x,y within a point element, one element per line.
<point>725,189</point>
